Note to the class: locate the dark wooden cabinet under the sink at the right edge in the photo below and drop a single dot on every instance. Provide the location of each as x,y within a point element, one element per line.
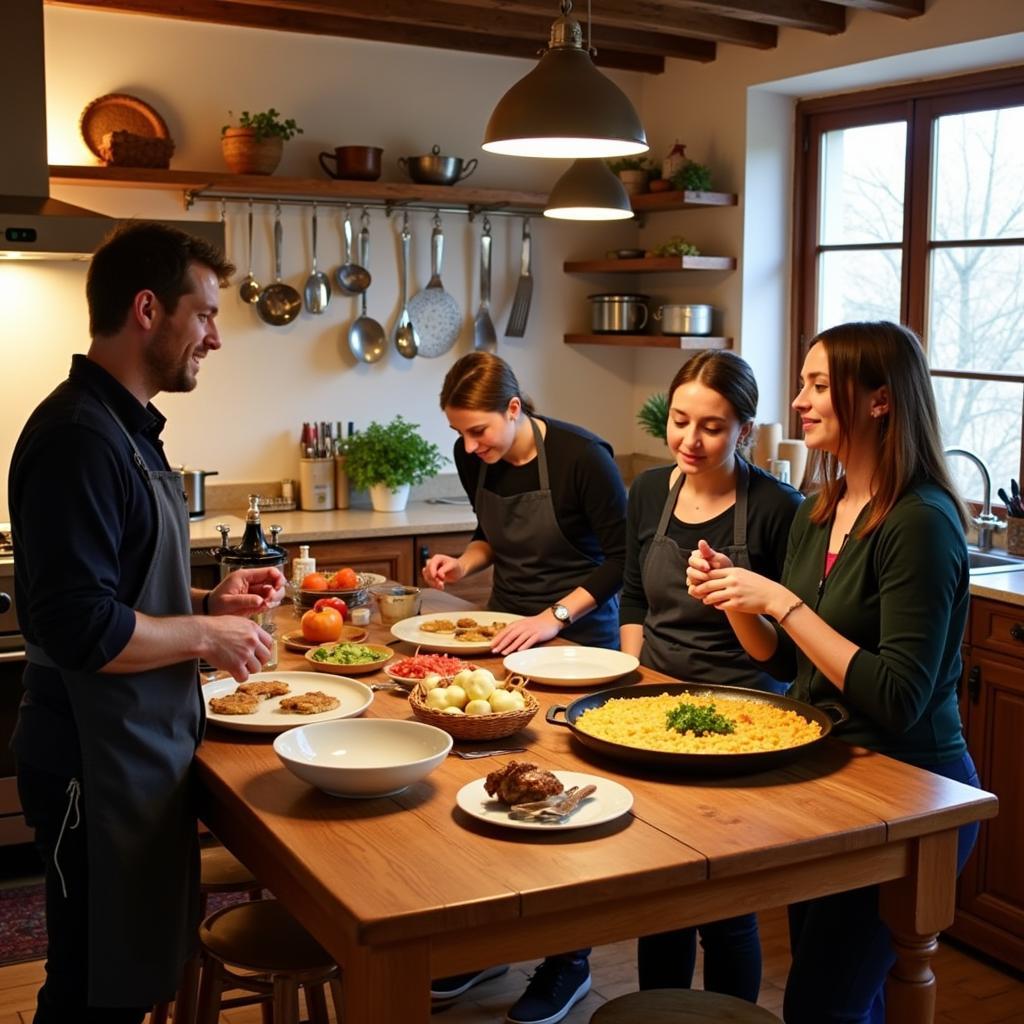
<point>991,900</point>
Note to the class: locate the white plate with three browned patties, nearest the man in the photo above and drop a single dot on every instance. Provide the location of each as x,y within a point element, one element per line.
<point>273,702</point>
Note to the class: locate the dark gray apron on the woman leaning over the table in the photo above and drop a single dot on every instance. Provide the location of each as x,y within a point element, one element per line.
<point>535,564</point>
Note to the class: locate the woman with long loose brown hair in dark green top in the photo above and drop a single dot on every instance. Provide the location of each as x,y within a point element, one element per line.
<point>870,614</point>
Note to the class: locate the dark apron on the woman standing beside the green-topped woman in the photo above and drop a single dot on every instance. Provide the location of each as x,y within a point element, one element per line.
<point>682,637</point>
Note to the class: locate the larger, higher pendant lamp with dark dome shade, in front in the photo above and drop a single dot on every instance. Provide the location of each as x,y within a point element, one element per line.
<point>566,107</point>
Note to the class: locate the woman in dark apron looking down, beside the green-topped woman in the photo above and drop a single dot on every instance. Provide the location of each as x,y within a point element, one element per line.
<point>710,492</point>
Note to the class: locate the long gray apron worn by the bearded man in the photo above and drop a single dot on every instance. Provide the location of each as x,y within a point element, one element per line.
<point>139,736</point>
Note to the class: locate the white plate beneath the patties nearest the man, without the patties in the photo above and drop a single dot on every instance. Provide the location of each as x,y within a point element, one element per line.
<point>356,698</point>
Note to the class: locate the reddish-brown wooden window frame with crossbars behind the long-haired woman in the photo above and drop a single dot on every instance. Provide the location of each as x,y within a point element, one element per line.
<point>919,104</point>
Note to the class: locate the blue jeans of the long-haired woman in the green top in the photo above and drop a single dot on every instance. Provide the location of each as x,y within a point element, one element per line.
<point>842,951</point>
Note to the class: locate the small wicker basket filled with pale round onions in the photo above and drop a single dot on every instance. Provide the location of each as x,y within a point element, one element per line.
<point>473,705</point>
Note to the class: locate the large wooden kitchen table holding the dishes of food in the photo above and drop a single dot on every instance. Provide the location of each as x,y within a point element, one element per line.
<point>404,889</point>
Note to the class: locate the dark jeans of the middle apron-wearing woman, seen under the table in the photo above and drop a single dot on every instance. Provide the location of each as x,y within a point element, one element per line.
<point>733,958</point>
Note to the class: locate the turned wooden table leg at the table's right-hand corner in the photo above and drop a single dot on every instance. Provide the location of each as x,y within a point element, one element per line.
<point>917,908</point>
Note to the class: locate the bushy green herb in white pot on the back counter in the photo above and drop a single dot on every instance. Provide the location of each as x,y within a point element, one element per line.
<point>388,459</point>
